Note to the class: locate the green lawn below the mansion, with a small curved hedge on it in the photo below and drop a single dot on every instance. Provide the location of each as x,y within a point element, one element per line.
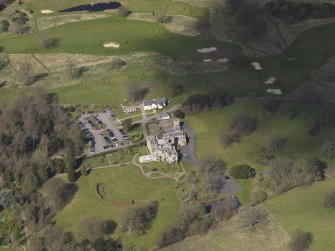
<point>123,183</point>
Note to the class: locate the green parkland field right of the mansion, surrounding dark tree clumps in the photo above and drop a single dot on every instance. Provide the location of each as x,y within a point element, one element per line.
<point>300,145</point>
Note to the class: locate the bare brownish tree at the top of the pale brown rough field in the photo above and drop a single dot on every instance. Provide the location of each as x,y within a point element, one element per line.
<point>254,216</point>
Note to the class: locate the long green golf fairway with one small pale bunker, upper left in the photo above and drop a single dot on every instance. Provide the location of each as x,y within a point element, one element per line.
<point>87,37</point>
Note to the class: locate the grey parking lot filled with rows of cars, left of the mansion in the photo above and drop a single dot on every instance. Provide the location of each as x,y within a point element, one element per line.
<point>102,131</point>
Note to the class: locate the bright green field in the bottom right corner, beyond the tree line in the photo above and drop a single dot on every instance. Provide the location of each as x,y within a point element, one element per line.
<point>302,208</point>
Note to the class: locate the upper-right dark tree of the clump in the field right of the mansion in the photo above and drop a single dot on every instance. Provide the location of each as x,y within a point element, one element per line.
<point>243,124</point>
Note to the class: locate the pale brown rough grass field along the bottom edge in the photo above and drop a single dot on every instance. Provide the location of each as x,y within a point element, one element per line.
<point>230,236</point>
